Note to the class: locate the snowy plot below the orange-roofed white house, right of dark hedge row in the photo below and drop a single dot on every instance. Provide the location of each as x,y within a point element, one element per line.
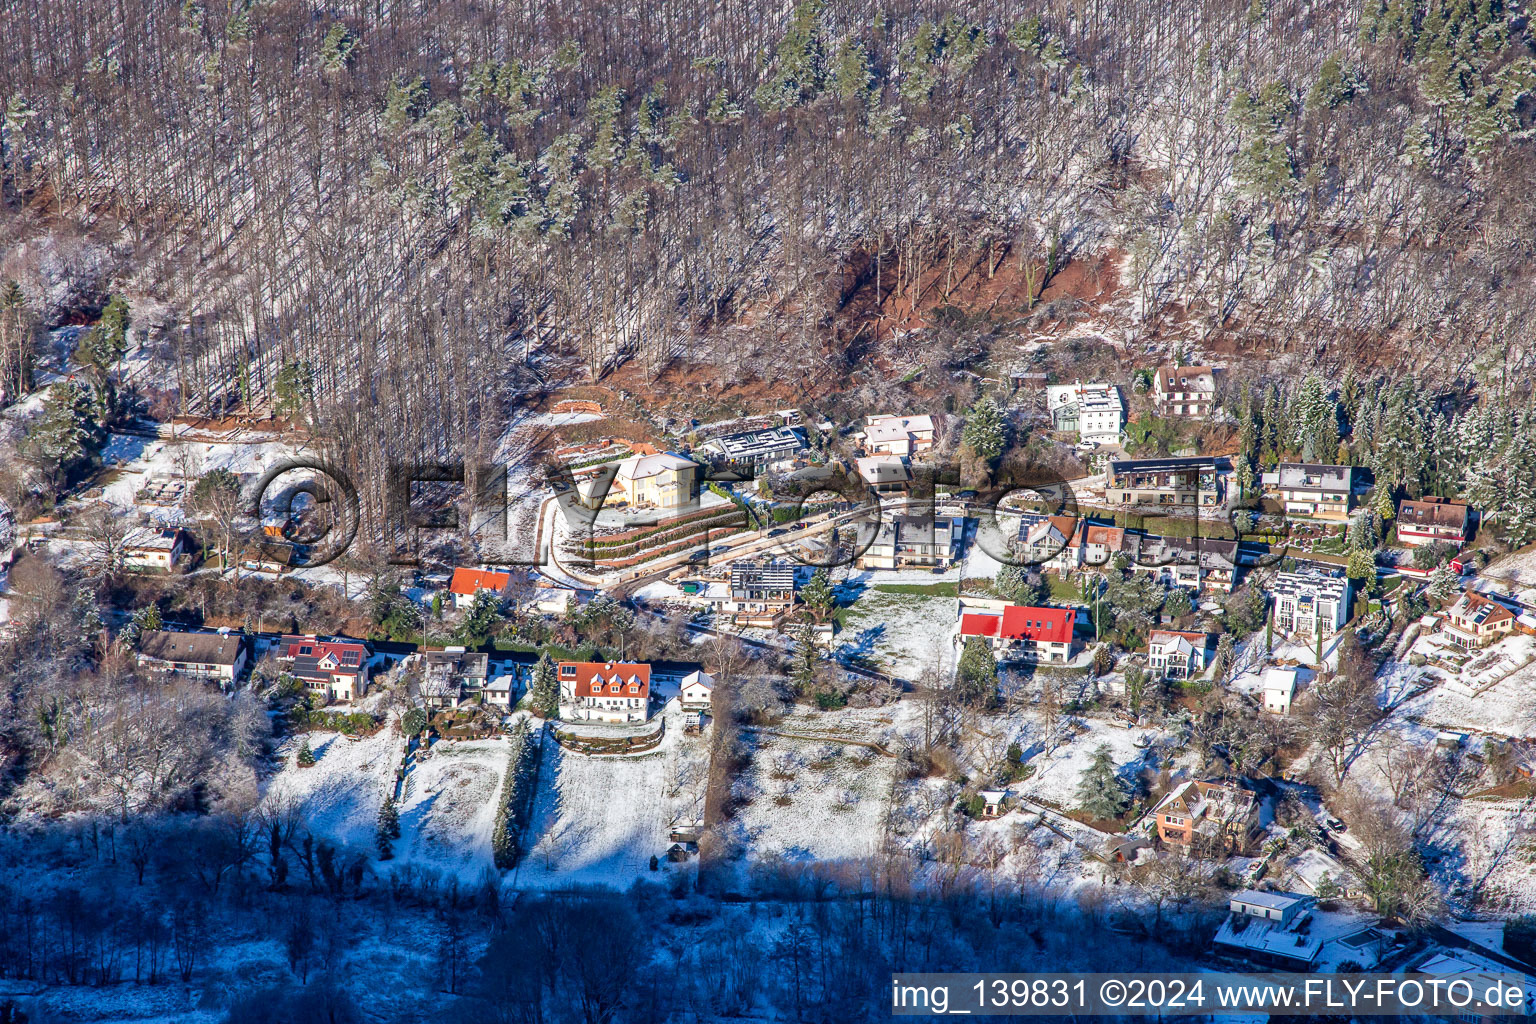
<point>600,819</point>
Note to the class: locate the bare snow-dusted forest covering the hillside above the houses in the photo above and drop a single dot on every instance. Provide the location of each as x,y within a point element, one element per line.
<point>422,202</point>
